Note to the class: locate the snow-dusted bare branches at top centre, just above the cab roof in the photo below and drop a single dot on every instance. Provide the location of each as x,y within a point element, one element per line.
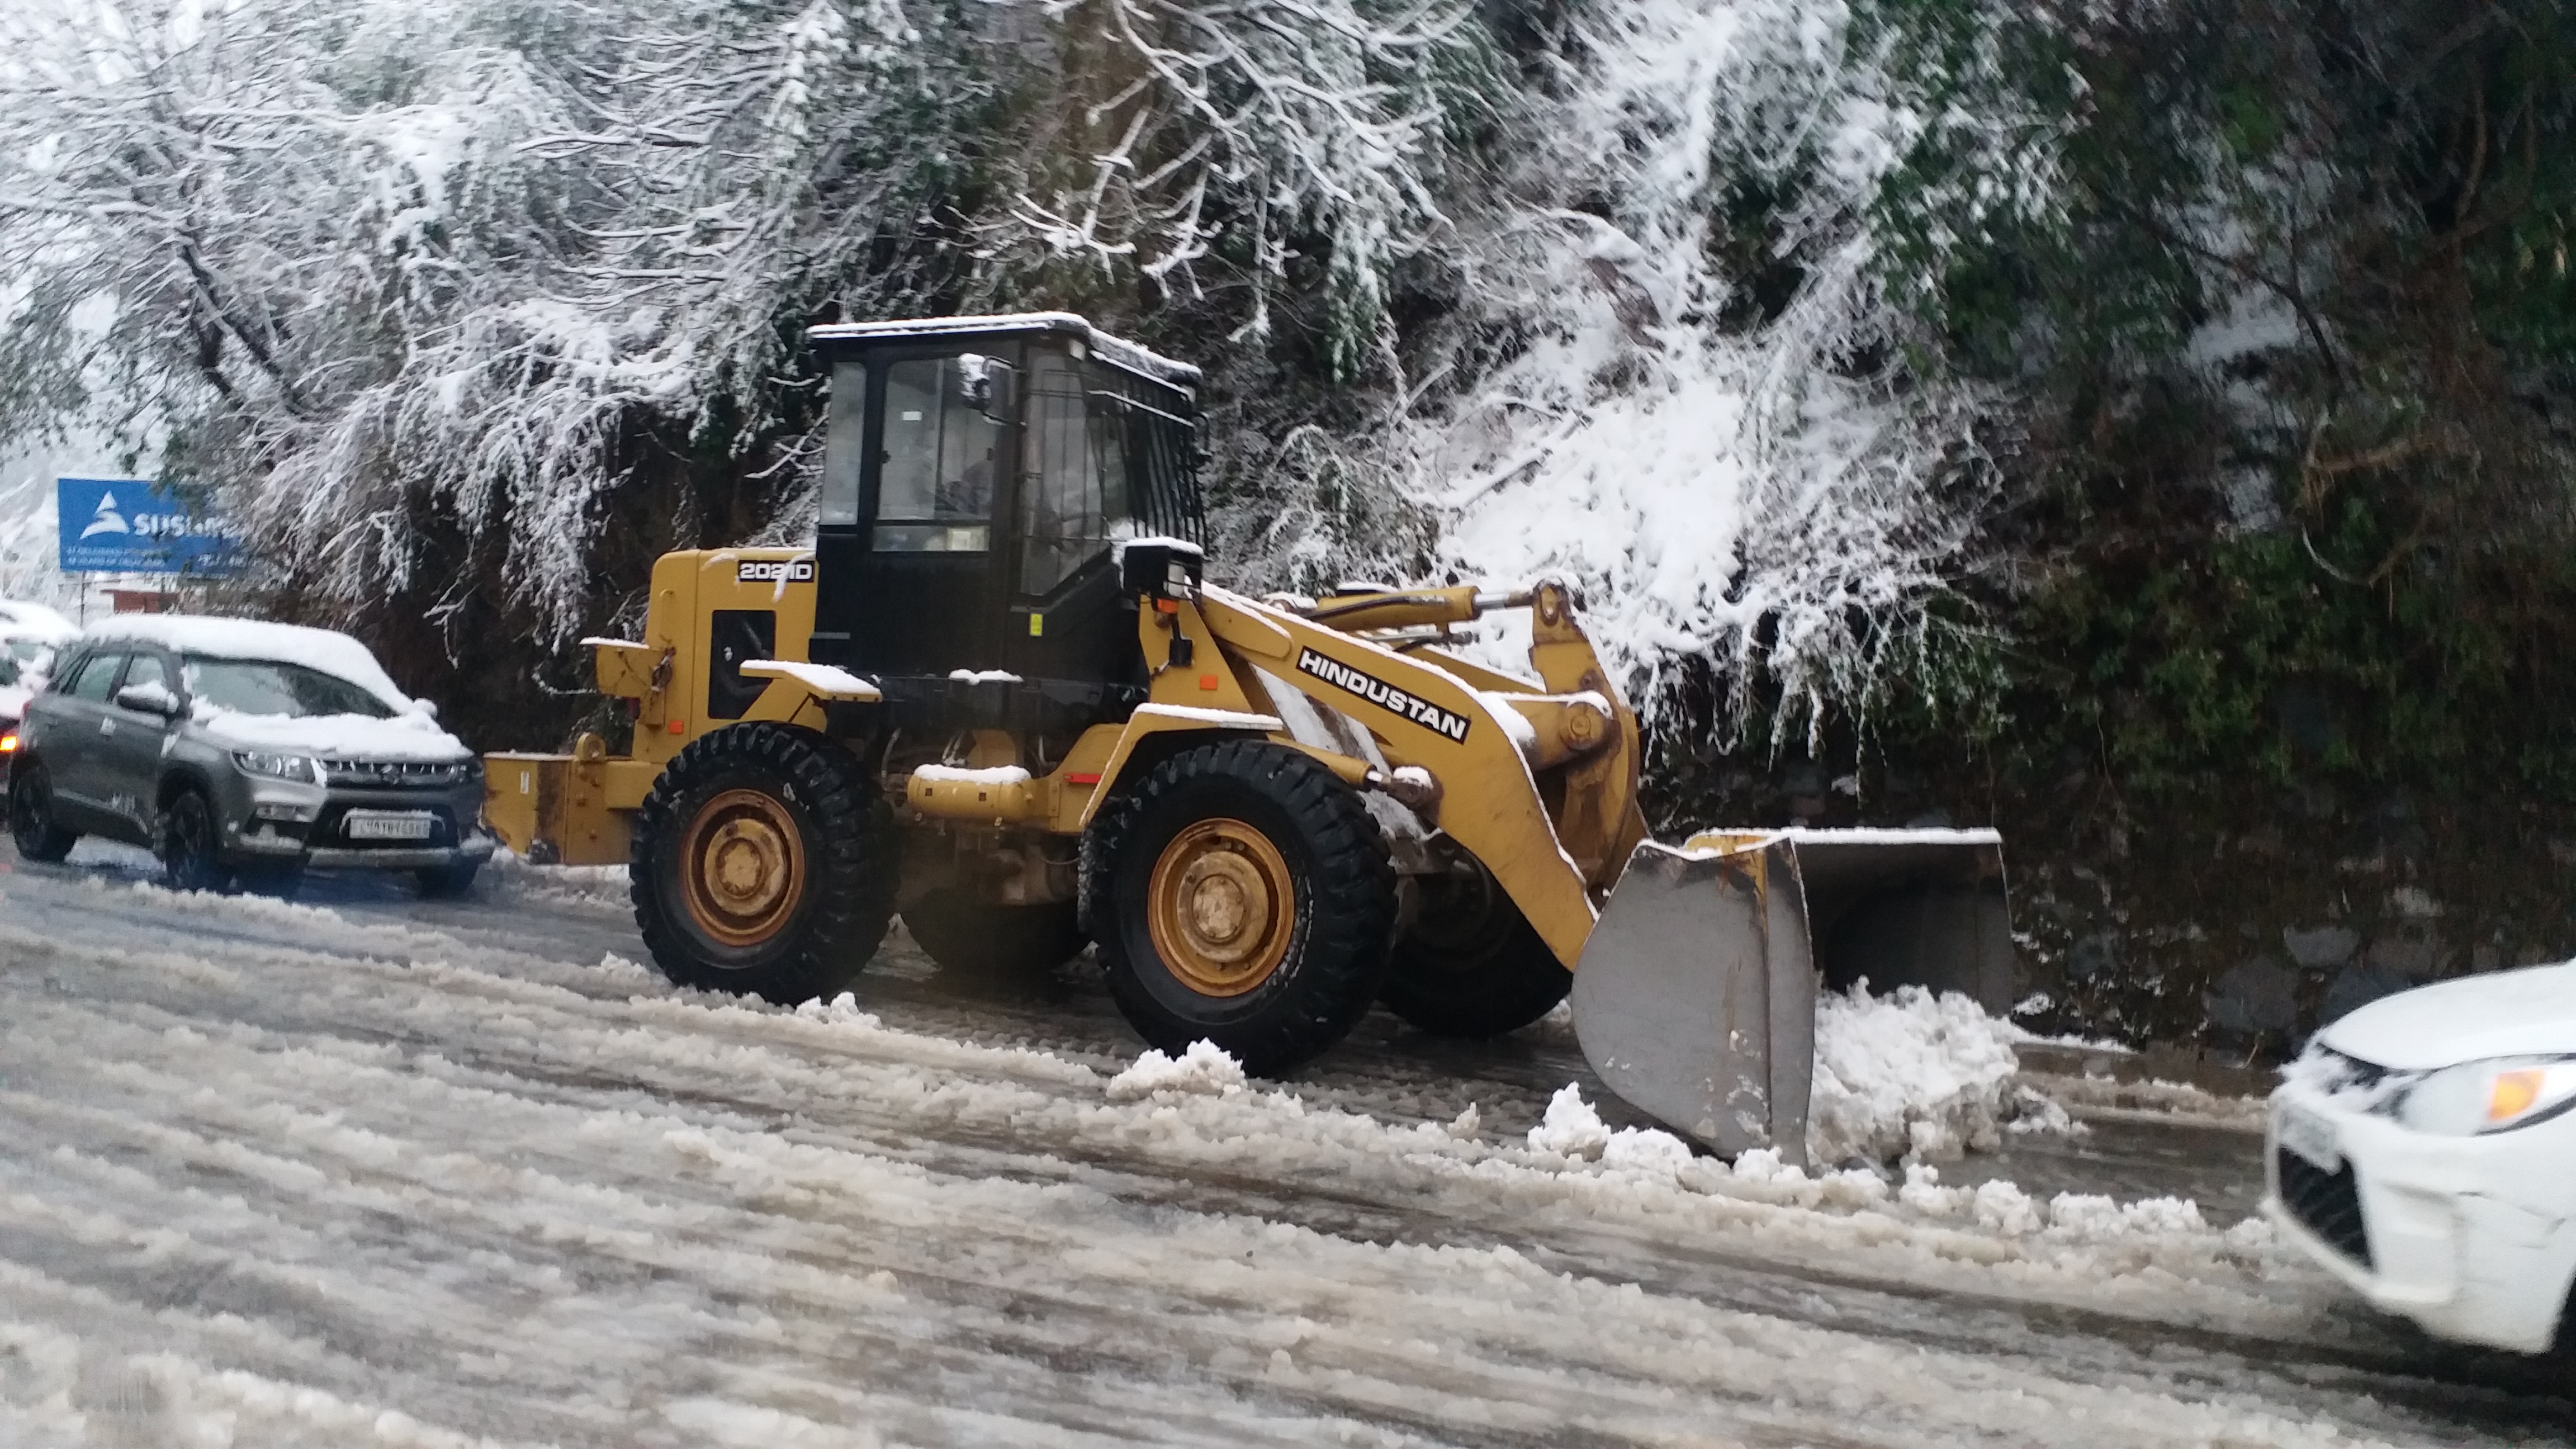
<point>1264,120</point>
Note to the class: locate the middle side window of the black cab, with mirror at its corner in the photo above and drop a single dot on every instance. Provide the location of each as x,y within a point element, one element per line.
<point>942,458</point>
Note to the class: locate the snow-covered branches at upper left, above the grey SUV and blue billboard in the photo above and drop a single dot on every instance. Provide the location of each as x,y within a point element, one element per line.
<point>362,257</point>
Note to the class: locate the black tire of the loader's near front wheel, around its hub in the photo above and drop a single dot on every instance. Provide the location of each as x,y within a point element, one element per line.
<point>1331,953</point>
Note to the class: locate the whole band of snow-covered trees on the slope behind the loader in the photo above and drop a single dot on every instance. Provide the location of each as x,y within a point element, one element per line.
<point>498,269</point>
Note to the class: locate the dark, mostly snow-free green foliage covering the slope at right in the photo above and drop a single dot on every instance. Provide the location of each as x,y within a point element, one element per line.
<point>2291,360</point>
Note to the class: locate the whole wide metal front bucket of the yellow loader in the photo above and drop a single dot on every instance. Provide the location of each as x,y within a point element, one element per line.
<point>1696,994</point>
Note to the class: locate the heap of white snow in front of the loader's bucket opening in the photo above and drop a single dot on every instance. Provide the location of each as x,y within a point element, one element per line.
<point>1908,1076</point>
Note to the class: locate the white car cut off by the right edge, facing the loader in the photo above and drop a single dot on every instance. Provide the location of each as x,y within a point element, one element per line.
<point>2425,1151</point>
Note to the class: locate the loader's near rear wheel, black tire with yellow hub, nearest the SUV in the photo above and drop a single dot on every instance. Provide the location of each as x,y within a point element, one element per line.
<point>831,911</point>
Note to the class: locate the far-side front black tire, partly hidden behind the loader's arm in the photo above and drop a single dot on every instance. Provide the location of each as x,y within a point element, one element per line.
<point>1472,963</point>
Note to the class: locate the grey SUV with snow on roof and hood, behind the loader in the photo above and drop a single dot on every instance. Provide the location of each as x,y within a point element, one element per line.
<point>243,754</point>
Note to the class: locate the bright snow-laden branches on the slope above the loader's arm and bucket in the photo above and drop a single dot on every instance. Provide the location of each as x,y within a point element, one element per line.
<point>1730,476</point>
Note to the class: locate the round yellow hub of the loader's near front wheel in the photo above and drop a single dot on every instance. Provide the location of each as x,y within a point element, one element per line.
<point>1222,906</point>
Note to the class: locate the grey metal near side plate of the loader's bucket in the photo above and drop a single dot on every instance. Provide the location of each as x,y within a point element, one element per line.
<point>1696,997</point>
